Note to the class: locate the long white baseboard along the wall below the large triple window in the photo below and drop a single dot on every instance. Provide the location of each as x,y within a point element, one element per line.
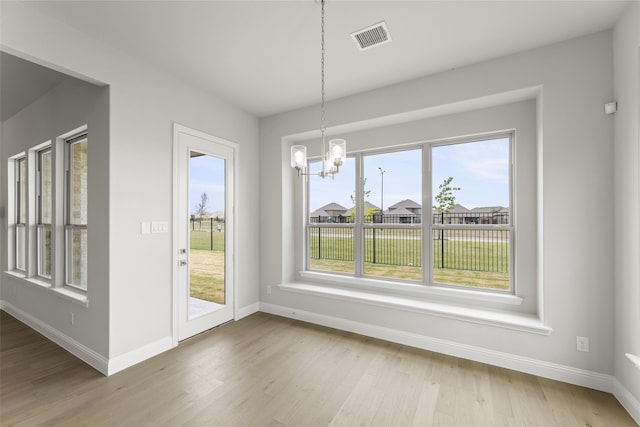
<point>540,368</point>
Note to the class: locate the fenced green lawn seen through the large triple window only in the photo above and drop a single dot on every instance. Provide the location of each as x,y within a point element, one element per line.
<point>479,258</point>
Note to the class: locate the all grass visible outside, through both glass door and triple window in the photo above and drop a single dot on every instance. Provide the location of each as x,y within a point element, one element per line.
<point>395,258</point>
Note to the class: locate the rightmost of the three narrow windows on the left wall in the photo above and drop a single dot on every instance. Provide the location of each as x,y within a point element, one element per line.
<point>76,173</point>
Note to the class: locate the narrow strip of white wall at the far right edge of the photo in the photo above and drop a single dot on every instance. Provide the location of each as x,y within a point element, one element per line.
<point>627,207</point>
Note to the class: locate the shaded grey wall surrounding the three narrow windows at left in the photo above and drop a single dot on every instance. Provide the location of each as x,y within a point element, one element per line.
<point>68,106</point>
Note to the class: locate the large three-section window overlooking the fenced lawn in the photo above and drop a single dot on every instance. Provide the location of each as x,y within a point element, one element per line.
<point>381,229</point>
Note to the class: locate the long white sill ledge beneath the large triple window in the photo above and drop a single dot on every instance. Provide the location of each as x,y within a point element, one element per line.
<point>514,321</point>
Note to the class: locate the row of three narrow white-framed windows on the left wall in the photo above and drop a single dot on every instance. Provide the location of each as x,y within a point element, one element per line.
<point>48,201</point>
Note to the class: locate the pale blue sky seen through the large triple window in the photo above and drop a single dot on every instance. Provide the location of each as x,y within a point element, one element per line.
<point>480,169</point>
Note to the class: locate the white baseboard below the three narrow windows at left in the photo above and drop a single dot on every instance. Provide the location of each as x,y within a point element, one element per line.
<point>82,352</point>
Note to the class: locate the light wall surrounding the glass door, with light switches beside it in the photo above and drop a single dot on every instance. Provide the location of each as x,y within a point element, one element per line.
<point>144,104</point>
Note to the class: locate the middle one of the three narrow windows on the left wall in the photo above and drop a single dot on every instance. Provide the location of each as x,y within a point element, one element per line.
<point>44,212</point>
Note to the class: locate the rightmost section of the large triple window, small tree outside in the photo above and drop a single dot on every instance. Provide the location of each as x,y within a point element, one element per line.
<point>471,227</point>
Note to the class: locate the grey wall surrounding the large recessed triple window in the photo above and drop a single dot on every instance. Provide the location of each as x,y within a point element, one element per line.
<point>576,163</point>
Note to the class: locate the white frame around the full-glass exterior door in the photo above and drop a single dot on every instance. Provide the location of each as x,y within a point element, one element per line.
<point>231,273</point>
